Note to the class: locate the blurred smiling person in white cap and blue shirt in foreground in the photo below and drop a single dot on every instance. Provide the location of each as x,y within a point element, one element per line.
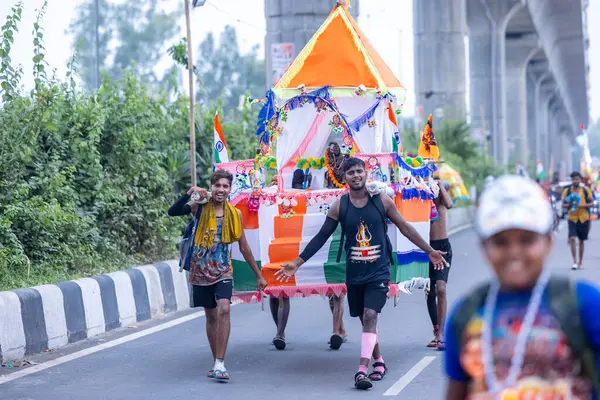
<point>526,334</point>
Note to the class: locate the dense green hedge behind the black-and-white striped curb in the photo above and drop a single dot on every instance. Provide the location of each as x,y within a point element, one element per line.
<point>86,177</point>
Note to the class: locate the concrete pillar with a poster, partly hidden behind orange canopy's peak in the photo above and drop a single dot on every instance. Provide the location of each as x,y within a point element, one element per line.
<point>295,21</point>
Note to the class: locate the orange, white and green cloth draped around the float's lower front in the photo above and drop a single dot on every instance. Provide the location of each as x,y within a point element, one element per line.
<point>277,238</point>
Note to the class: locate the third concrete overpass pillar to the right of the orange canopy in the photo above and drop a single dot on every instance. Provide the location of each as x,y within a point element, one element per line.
<point>518,54</point>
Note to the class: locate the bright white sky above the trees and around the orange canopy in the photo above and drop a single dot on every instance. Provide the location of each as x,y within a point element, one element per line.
<point>388,24</point>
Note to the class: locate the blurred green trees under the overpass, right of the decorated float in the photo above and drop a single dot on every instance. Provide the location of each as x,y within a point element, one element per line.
<point>458,149</point>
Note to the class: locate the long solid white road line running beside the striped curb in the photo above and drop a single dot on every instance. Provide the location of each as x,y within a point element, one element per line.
<point>103,346</point>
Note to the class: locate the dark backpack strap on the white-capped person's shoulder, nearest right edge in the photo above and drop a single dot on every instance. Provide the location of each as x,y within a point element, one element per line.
<point>563,303</point>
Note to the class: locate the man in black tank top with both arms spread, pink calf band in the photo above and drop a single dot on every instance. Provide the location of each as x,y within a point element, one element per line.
<point>368,250</point>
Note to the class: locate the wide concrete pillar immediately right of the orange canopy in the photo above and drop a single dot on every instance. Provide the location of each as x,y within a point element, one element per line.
<point>440,62</point>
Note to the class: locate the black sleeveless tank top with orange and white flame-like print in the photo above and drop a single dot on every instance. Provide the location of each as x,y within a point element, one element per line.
<point>367,257</point>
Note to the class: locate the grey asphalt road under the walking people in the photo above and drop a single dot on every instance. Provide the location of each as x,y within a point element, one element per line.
<point>170,362</point>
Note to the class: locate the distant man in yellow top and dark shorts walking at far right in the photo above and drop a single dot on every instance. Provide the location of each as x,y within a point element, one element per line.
<point>578,199</point>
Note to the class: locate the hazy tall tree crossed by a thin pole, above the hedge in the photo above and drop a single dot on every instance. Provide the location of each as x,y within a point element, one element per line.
<point>140,30</point>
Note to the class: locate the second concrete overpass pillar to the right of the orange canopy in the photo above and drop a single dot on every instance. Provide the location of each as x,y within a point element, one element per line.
<point>487,21</point>
